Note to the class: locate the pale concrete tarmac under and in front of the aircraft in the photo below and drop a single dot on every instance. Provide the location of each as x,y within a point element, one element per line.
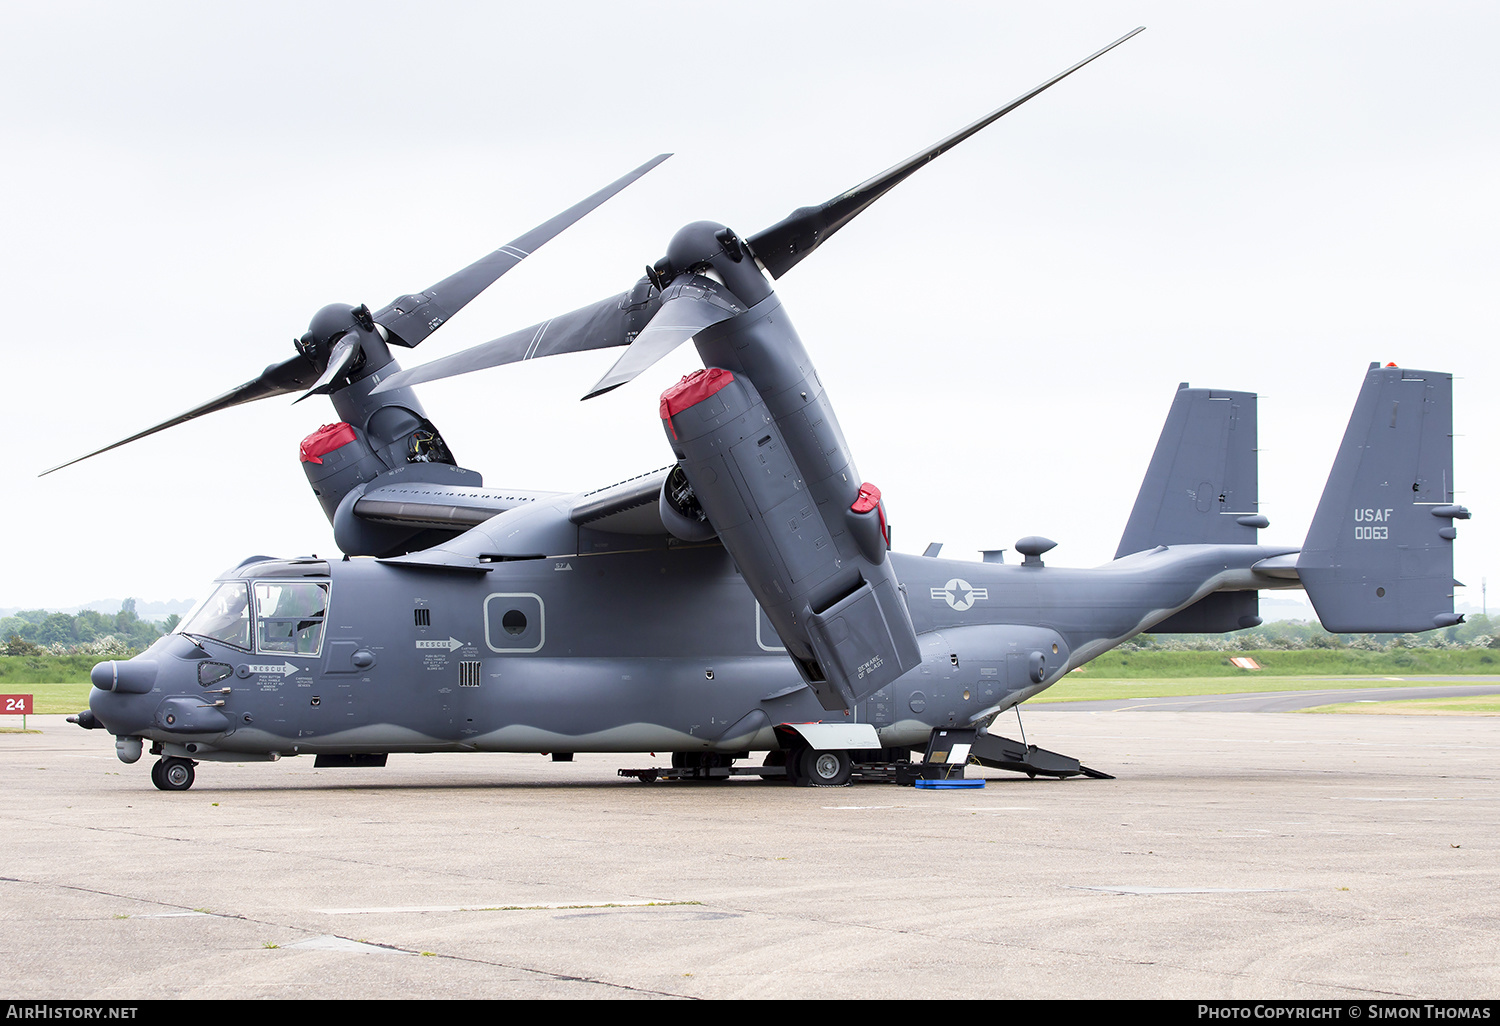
<point>1235,856</point>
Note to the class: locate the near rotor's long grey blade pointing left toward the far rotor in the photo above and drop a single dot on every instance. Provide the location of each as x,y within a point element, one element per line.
<point>598,326</point>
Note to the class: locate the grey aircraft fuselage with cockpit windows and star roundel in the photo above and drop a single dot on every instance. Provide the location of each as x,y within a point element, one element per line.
<point>634,650</point>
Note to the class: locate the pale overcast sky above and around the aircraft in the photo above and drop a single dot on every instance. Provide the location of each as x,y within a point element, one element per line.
<point>1247,196</point>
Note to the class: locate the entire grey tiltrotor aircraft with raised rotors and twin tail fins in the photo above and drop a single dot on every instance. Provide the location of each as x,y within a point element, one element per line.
<point>746,598</point>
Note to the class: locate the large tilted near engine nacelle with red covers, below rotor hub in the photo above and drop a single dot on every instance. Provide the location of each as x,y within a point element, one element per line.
<point>769,464</point>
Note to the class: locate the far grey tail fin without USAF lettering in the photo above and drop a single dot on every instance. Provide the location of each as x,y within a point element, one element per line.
<point>1202,482</point>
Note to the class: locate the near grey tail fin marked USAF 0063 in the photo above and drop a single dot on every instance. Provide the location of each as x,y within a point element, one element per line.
<point>1379,556</point>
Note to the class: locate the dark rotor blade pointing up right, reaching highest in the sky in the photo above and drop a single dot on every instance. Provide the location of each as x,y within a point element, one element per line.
<point>785,244</point>
